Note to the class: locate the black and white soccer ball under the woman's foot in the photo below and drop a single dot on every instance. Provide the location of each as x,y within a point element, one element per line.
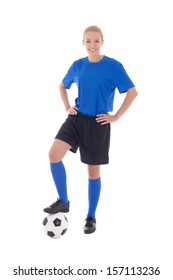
<point>55,225</point>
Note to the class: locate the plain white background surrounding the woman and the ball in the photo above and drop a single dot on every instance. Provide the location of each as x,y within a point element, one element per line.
<point>39,41</point>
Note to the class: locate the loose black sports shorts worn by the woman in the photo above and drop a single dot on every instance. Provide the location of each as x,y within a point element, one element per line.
<point>92,138</point>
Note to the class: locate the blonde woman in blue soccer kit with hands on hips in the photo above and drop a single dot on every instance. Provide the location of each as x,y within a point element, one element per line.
<point>88,124</point>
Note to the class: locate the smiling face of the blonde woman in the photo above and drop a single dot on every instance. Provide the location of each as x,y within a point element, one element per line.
<point>93,42</point>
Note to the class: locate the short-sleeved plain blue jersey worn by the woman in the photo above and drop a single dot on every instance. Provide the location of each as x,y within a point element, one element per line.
<point>96,82</point>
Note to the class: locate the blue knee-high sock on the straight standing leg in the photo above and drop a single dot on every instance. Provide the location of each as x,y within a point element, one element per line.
<point>94,188</point>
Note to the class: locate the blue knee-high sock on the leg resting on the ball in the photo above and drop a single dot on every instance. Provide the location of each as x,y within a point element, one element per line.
<point>59,176</point>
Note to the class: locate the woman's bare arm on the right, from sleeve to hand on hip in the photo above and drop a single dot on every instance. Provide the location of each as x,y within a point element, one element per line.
<point>130,96</point>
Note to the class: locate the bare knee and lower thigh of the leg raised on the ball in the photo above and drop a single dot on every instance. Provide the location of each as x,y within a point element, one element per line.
<point>58,150</point>
